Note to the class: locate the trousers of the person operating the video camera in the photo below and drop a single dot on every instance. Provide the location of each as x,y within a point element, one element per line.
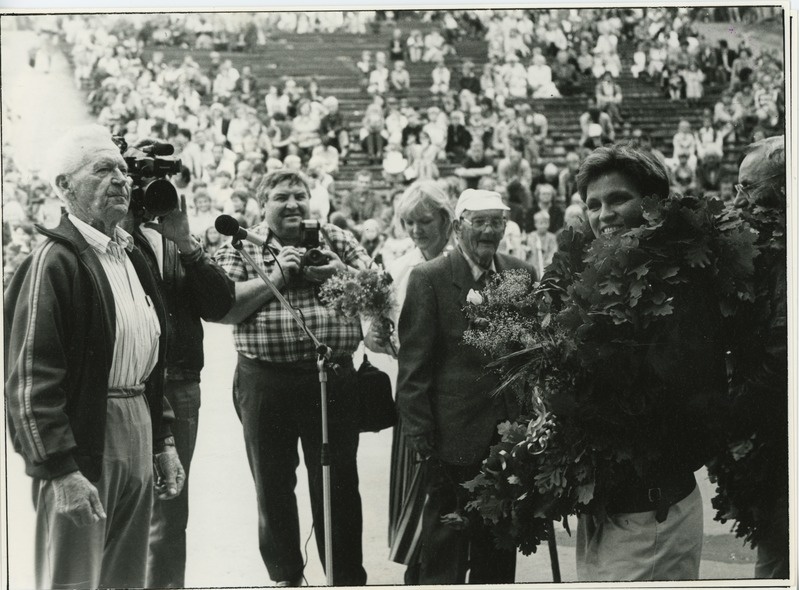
<point>166,564</point>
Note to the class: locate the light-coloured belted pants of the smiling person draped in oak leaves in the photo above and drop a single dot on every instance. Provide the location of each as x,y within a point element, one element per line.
<point>635,547</point>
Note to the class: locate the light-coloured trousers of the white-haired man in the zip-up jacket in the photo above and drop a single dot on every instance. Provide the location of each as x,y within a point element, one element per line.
<point>113,552</point>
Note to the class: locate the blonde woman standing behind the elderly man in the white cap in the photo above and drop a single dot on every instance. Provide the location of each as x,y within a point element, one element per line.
<point>426,215</point>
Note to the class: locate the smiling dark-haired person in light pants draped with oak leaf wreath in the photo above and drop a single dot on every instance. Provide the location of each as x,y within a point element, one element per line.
<point>649,524</point>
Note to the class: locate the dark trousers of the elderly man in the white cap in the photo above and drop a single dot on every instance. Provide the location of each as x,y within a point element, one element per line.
<point>448,553</point>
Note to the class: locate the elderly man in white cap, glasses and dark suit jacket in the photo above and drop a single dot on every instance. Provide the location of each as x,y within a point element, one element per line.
<point>443,393</point>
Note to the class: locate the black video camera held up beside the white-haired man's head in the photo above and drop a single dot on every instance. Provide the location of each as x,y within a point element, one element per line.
<point>148,167</point>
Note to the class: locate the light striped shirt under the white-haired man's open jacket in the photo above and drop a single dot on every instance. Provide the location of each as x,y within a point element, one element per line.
<point>137,327</point>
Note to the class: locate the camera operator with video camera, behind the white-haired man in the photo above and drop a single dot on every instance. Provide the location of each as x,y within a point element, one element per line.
<point>192,288</point>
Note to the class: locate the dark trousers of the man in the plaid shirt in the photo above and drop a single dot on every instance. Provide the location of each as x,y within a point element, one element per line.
<point>277,407</point>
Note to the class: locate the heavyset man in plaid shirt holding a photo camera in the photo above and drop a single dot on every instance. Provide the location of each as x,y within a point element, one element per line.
<point>276,388</point>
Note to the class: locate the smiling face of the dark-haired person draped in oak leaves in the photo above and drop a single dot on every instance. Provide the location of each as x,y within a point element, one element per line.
<point>614,204</point>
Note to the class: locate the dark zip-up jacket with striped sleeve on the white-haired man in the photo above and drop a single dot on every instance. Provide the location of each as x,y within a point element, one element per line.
<point>59,319</point>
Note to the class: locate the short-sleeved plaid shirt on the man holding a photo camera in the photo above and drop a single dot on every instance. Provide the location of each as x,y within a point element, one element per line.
<point>271,334</point>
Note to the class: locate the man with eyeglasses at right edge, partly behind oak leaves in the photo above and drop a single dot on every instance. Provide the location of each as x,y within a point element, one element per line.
<point>754,480</point>
